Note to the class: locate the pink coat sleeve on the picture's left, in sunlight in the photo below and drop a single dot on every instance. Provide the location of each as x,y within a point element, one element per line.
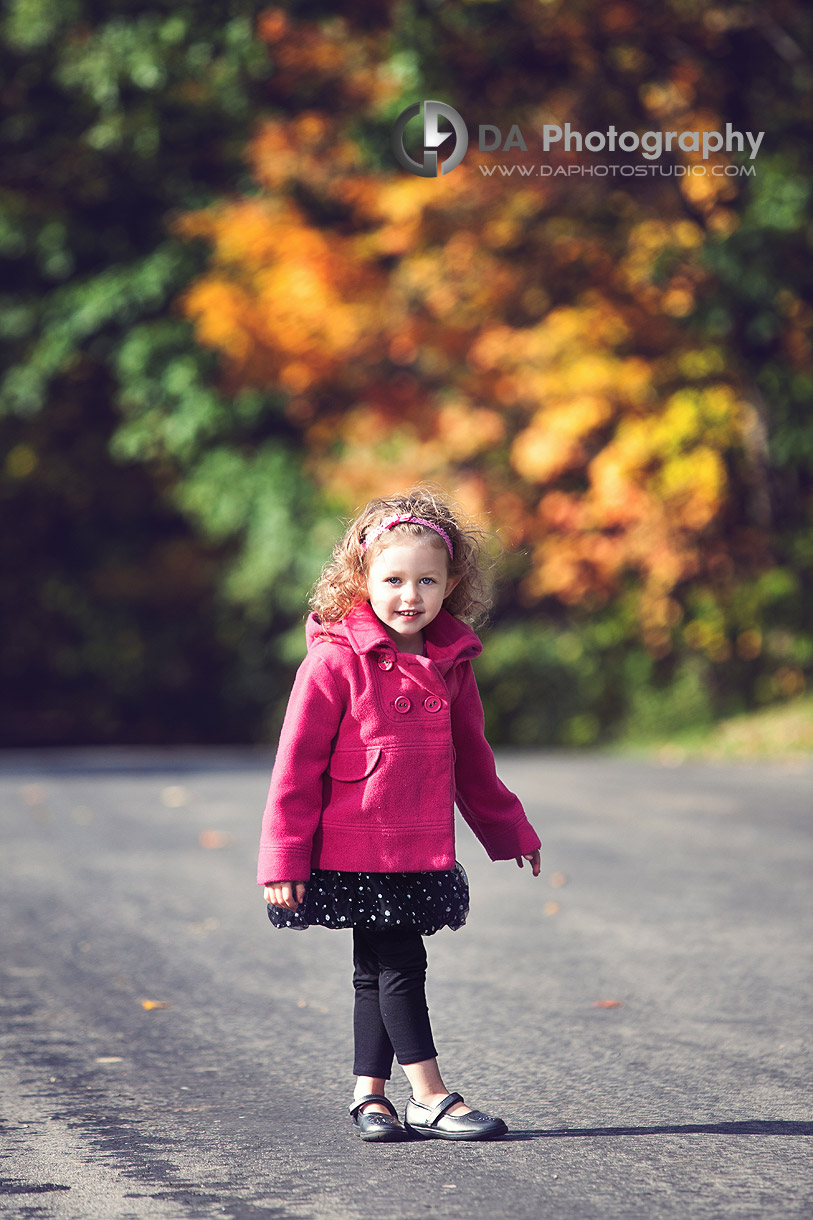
<point>295,803</point>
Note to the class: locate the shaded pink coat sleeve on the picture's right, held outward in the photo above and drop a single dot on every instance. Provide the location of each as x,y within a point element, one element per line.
<point>493,812</point>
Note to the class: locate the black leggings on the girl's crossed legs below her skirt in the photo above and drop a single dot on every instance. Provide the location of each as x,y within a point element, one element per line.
<point>391,1013</point>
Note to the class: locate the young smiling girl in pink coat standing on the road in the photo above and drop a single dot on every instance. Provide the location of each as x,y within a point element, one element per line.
<point>383,735</point>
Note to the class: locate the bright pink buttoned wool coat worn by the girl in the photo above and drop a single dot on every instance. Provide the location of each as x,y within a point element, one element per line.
<point>375,748</point>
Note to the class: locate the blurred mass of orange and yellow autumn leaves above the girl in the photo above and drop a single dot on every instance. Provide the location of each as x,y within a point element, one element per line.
<point>411,324</point>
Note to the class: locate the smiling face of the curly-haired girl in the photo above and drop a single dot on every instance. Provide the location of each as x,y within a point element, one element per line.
<point>407,584</point>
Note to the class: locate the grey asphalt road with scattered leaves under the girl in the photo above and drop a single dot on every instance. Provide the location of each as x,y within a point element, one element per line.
<point>677,899</point>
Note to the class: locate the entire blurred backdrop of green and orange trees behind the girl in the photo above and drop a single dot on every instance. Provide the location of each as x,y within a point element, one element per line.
<point>231,319</point>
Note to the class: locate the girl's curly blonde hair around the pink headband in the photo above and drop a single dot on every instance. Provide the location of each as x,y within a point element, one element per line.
<point>342,585</point>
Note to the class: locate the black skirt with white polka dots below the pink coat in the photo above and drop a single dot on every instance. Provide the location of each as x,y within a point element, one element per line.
<point>423,901</point>
